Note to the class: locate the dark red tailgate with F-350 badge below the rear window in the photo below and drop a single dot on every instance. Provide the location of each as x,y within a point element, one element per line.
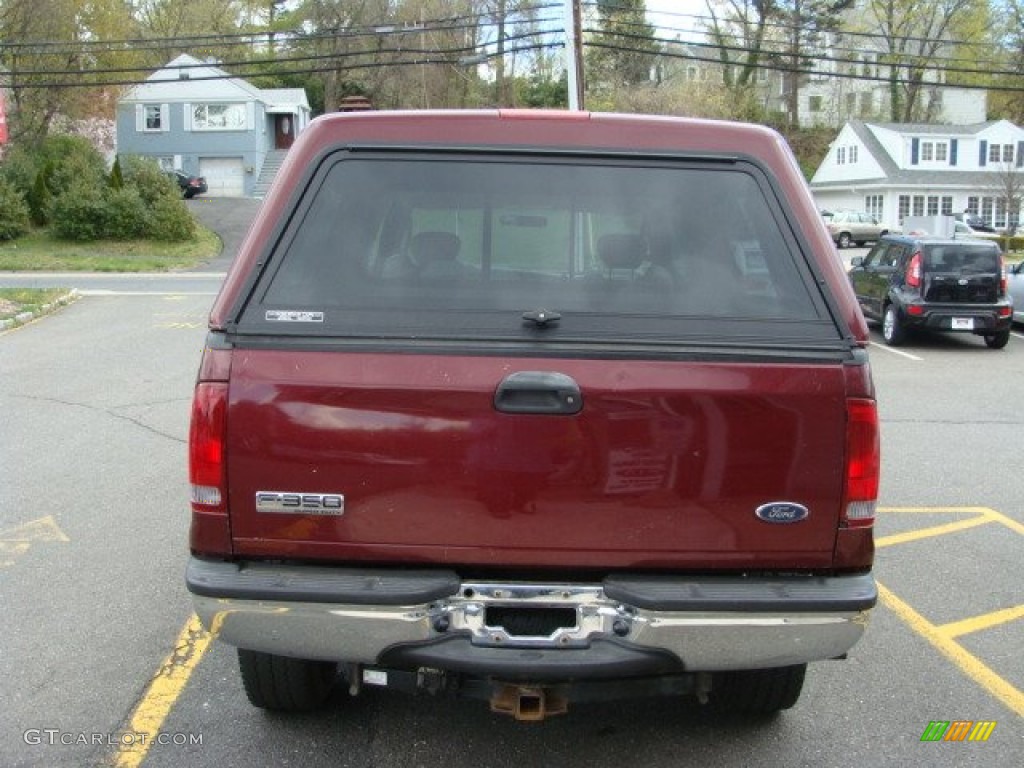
<point>368,458</point>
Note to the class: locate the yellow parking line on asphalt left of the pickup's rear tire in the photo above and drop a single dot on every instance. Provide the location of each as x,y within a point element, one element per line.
<point>163,693</point>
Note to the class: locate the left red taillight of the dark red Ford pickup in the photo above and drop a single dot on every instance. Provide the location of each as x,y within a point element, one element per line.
<point>206,447</point>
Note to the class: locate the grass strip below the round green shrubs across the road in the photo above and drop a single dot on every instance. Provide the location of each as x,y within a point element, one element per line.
<point>41,252</point>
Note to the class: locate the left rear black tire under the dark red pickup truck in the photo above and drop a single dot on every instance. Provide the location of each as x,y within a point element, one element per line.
<point>284,685</point>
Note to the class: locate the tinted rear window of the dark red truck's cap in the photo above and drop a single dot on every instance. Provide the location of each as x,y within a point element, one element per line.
<point>389,245</point>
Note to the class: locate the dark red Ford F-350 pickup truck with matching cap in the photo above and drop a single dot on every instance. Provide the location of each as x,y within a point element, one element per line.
<point>536,407</point>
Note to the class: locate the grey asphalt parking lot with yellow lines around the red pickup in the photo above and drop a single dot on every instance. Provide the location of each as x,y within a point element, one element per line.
<point>100,645</point>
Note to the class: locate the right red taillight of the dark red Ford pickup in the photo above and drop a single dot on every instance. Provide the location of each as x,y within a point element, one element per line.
<point>863,463</point>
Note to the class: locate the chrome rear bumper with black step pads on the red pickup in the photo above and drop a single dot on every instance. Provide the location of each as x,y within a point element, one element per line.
<point>432,619</point>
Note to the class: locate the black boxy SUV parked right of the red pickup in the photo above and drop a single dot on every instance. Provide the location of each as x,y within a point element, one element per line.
<point>931,284</point>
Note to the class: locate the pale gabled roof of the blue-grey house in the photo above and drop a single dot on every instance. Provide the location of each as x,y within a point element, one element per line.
<point>187,78</point>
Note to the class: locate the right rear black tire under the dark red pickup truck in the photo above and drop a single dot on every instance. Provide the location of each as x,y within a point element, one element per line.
<point>757,692</point>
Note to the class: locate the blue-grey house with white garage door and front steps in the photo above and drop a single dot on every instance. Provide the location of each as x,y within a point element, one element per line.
<point>194,117</point>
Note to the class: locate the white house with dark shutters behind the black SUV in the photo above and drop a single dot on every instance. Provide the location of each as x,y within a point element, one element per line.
<point>894,170</point>
